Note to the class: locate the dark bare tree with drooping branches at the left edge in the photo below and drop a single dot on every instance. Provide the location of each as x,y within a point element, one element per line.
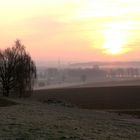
<point>17,70</point>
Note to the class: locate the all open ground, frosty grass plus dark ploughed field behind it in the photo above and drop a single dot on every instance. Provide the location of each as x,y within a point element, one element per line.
<point>52,119</point>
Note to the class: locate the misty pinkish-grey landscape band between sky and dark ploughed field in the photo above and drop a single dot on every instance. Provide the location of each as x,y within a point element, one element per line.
<point>87,74</point>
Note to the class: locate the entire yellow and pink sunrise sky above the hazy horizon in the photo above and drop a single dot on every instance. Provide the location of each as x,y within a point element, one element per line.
<point>73,30</point>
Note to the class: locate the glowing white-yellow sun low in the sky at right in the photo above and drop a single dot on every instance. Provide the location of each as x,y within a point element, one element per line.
<point>115,40</point>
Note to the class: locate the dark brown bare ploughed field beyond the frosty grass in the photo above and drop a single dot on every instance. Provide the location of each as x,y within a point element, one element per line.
<point>119,97</point>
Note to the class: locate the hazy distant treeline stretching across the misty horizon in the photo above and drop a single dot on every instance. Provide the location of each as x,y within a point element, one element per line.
<point>94,72</point>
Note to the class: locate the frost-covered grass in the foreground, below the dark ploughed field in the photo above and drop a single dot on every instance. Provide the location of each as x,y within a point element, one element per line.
<point>31,120</point>
